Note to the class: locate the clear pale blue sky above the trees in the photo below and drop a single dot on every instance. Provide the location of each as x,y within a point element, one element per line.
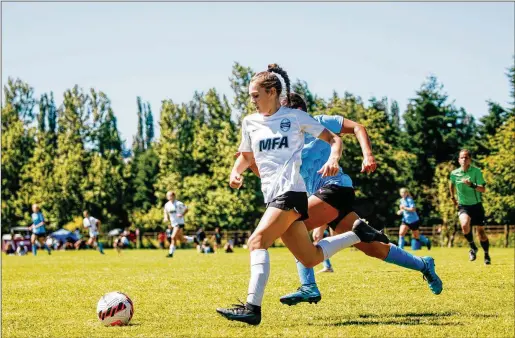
<point>168,50</point>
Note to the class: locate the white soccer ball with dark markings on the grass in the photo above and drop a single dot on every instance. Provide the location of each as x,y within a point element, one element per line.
<point>115,309</point>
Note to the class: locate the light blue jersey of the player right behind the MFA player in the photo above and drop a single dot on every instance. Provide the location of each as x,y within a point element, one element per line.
<point>316,152</point>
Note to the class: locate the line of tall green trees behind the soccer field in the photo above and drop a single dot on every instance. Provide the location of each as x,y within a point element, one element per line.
<point>71,157</point>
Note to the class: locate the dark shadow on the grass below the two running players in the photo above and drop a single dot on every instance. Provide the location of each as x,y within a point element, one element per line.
<point>409,318</point>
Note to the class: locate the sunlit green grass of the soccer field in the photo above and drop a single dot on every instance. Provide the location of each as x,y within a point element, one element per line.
<point>56,296</point>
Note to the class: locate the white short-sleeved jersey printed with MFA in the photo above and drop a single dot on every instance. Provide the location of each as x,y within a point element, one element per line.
<point>277,143</point>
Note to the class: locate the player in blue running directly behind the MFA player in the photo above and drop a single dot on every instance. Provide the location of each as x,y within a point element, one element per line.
<point>330,202</point>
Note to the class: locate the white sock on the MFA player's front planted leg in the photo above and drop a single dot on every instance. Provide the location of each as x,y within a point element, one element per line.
<point>259,272</point>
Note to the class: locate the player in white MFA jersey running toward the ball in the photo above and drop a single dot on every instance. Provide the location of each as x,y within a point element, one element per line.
<point>273,139</point>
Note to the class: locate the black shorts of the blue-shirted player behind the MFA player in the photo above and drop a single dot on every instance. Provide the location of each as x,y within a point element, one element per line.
<point>340,198</point>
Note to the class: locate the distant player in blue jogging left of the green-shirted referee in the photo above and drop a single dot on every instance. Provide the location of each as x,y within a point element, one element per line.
<point>410,219</point>
